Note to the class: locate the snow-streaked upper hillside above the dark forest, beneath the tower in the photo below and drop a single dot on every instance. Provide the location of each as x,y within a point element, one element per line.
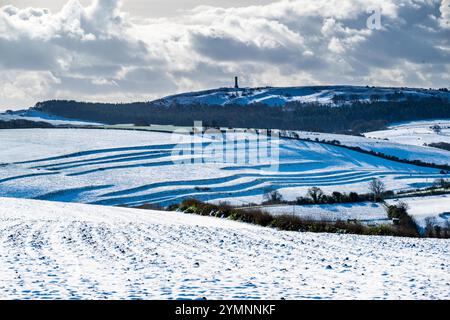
<point>280,96</point>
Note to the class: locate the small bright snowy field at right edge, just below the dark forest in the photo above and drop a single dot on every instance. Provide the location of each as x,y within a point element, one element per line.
<point>416,133</point>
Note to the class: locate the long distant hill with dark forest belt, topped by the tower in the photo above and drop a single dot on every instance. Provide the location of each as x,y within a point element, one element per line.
<point>332,109</point>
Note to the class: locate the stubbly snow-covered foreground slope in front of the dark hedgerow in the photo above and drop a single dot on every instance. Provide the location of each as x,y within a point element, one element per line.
<point>72,251</point>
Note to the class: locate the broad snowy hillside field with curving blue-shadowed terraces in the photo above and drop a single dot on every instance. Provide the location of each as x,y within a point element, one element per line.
<point>114,167</point>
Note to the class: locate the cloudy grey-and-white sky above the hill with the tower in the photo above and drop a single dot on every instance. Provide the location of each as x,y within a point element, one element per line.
<point>111,50</point>
